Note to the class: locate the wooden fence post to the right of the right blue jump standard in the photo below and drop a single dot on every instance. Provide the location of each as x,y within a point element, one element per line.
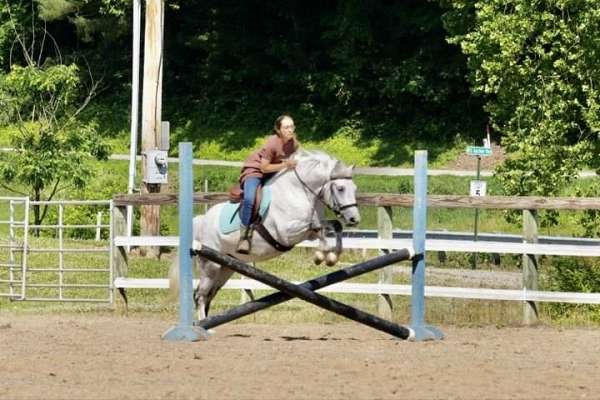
<point>530,265</point>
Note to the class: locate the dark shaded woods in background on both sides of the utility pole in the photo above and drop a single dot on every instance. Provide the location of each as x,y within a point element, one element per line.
<point>382,69</point>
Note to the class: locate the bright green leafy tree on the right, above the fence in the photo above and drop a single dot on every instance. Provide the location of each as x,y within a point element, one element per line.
<point>535,64</point>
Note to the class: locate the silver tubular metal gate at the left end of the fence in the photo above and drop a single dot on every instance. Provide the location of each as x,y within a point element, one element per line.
<point>67,258</point>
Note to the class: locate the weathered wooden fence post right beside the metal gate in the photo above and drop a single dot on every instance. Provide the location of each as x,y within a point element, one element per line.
<point>120,260</point>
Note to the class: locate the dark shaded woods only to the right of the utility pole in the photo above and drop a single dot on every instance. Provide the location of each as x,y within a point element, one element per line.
<point>383,67</point>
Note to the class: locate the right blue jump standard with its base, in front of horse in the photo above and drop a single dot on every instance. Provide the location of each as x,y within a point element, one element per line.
<point>417,311</point>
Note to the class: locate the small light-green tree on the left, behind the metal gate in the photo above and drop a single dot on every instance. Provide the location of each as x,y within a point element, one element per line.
<point>42,96</point>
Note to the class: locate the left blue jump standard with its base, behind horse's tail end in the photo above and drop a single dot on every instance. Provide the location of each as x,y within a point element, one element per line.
<point>185,330</point>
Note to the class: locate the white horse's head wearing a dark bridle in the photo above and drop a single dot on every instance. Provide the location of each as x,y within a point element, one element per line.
<point>341,194</point>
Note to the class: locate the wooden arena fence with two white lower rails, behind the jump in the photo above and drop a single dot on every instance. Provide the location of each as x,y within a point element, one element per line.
<point>528,247</point>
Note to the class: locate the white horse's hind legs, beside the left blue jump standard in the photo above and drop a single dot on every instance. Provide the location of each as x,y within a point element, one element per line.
<point>212,277</point>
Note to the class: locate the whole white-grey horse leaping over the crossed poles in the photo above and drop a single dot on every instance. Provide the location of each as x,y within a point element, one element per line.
<point>296,213</point>
